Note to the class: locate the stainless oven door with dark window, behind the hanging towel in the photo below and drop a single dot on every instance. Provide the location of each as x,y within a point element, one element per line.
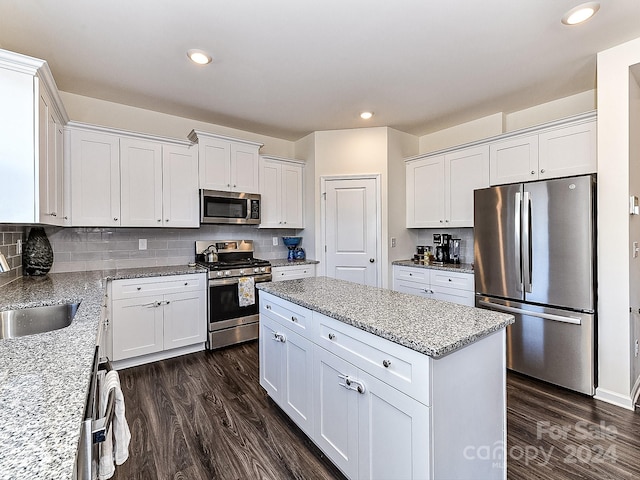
<point>224,303</point>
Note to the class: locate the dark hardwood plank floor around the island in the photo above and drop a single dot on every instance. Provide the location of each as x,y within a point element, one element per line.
<point>205,416</point>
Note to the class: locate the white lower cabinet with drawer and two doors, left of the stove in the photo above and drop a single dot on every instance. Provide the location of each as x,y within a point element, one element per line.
<point>158,317</point>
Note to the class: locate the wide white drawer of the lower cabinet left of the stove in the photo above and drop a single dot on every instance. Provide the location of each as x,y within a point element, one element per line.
<point>157,285</point>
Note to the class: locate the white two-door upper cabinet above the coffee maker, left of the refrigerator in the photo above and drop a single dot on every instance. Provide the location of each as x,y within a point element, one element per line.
<point>440,187</point>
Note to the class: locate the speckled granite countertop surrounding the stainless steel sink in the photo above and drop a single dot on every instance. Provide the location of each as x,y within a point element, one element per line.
<point>44,378</point>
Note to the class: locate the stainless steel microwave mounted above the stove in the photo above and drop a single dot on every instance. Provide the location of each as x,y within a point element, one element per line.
<point>229,207</point>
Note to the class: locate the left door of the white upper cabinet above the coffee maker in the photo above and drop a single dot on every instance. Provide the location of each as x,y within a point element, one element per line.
<point>425,193</point>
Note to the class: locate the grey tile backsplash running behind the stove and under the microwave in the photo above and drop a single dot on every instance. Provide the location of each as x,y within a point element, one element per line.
<point>87,248</point>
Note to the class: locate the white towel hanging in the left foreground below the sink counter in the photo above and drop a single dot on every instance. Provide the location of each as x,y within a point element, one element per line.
<point>116,444</point>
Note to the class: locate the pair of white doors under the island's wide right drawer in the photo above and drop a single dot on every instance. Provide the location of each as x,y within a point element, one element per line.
<point>367,428</point>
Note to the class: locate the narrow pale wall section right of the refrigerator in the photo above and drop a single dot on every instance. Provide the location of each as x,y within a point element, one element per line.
<point>614,357</point>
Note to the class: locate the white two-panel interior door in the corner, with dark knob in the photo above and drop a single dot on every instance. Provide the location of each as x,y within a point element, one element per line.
<point>351,230</point>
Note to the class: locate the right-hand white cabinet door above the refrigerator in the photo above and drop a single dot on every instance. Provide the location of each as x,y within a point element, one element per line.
<point>568,151</point>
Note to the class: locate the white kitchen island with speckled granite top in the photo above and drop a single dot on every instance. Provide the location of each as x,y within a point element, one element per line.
<point>388,385</point>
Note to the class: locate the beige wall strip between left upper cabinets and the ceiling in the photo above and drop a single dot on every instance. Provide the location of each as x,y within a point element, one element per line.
<point>116,115</point>
